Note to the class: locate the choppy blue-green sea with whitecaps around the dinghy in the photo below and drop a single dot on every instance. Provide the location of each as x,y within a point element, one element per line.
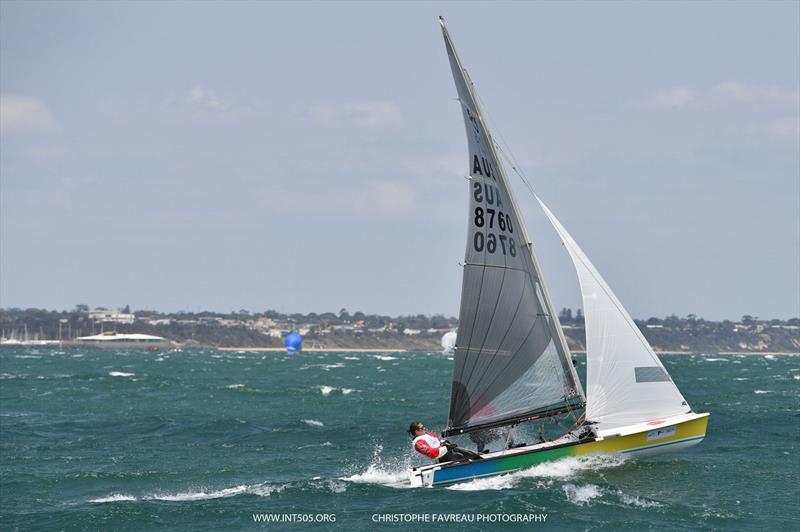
<point>203,440</point>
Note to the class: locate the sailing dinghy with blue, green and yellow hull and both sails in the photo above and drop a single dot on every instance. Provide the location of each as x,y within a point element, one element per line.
<point>511,361</point>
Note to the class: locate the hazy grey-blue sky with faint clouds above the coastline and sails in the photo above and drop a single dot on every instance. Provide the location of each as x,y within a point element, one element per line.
<point>310,156</point>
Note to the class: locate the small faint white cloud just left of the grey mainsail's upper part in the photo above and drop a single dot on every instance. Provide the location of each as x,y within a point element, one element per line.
<point>366,115</point>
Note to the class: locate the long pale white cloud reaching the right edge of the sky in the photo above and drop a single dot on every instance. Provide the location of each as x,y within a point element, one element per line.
<point>723,95</point>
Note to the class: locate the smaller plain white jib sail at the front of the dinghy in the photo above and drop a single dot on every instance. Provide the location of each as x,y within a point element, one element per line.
<point>625,381</point>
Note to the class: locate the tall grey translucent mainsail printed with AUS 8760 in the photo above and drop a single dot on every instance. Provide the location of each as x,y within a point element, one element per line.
<point>511,359</point>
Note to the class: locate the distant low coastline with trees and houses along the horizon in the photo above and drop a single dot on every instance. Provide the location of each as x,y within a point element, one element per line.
<point>358,329</point>
